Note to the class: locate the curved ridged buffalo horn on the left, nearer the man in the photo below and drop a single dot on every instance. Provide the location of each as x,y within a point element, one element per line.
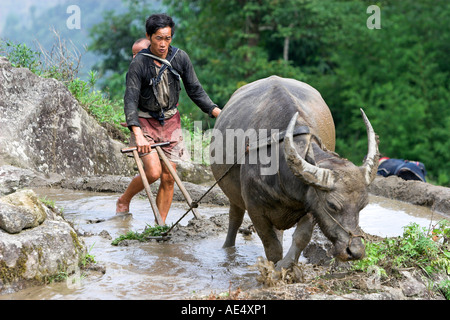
<point>308,173</point>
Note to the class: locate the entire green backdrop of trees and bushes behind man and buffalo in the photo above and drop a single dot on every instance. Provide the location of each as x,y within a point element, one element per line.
<point>399,74</point>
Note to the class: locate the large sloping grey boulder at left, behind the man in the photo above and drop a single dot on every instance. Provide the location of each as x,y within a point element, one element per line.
<point>44,129</point>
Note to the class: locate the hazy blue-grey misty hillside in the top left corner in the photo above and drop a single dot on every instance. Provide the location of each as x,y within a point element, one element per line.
<point>31,23</point>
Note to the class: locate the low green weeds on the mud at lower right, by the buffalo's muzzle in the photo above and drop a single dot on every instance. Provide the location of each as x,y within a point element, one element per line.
<point>427,250</point>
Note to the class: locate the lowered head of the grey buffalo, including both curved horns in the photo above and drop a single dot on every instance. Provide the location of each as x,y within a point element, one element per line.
<point>337,192</point>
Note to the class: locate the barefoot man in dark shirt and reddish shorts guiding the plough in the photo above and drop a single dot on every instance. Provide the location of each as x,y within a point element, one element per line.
<point>151,109</point>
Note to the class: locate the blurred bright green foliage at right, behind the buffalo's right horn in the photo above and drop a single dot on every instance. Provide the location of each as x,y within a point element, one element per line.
<point>400,75</point>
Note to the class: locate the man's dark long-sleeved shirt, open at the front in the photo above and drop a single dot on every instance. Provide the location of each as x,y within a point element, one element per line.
<point>139,93</point>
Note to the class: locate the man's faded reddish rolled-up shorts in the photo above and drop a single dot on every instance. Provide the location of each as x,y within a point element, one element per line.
<point>171,132</point>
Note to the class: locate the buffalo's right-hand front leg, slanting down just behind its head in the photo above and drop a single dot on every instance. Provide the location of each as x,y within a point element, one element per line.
<point>300,239</point>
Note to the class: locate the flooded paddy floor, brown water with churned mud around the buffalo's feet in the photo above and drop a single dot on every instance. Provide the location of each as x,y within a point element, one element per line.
<point>192,264</point>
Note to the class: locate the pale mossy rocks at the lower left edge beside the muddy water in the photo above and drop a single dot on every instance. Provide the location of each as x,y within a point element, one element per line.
<point>45,246</point>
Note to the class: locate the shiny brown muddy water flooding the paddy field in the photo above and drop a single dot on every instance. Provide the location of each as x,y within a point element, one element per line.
<point>182,270</point>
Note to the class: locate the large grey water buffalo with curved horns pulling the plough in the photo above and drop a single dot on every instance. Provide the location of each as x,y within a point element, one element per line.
<point>311,183</point>
